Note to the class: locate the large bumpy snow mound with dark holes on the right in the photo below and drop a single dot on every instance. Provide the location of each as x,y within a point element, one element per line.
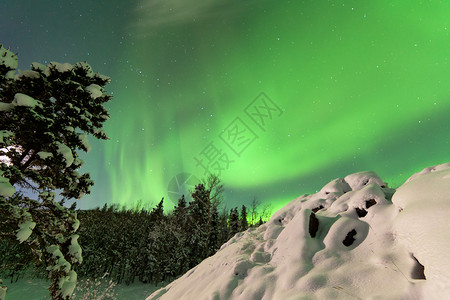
<point>355,239</point>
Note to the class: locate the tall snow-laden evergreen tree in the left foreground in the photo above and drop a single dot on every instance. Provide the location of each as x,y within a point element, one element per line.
<point>46,114</point>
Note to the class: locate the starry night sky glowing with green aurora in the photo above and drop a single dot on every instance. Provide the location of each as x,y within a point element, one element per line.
<point>279,97</point>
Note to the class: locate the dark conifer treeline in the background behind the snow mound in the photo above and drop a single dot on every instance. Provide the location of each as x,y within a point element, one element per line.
<point>148,245</point>
